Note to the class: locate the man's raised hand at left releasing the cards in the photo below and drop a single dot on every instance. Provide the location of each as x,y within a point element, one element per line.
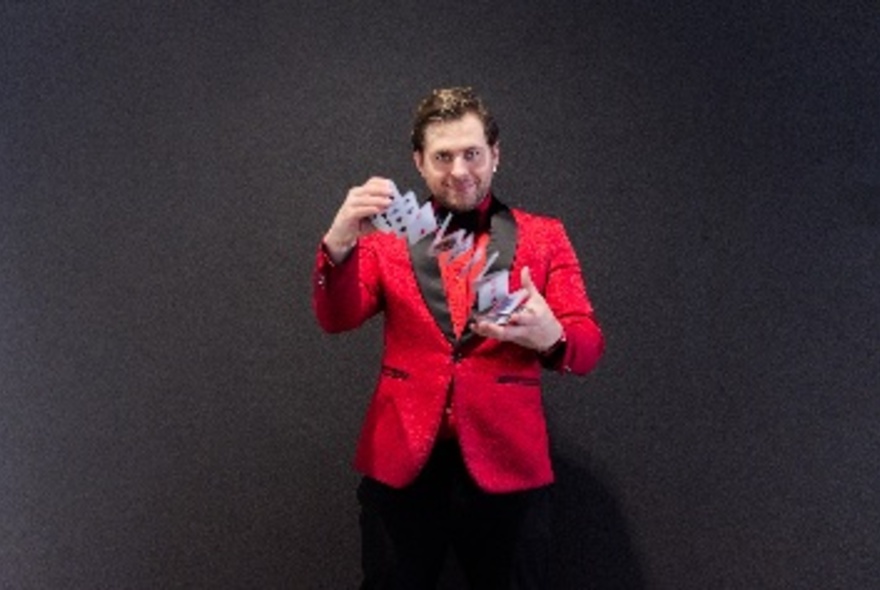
<point>353,218</point>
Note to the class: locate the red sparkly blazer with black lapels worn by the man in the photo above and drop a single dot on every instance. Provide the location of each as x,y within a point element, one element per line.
<point>496,386</point>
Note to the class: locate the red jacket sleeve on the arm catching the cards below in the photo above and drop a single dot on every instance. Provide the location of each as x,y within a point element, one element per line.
<point>566,294</point>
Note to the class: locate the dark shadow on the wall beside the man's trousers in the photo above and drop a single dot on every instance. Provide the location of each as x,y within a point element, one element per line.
<point>594,550</point>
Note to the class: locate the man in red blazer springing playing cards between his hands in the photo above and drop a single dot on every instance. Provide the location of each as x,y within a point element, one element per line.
<point>454,448</point>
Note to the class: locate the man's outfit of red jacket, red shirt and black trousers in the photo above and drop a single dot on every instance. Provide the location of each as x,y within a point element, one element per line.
<point>454,446</point>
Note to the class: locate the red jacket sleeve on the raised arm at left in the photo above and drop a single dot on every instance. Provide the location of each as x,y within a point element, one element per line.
<point>347,294</point>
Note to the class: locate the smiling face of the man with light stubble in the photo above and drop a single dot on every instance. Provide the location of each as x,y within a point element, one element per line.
<point>457,163</point>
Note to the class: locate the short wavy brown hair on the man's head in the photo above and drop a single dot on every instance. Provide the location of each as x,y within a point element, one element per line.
<point>449,104</point>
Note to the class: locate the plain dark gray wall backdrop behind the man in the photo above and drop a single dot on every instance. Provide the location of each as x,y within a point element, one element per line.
<point>170,414</point>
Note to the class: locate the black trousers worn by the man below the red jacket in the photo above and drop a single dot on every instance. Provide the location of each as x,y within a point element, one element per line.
<point>501,541</point>
